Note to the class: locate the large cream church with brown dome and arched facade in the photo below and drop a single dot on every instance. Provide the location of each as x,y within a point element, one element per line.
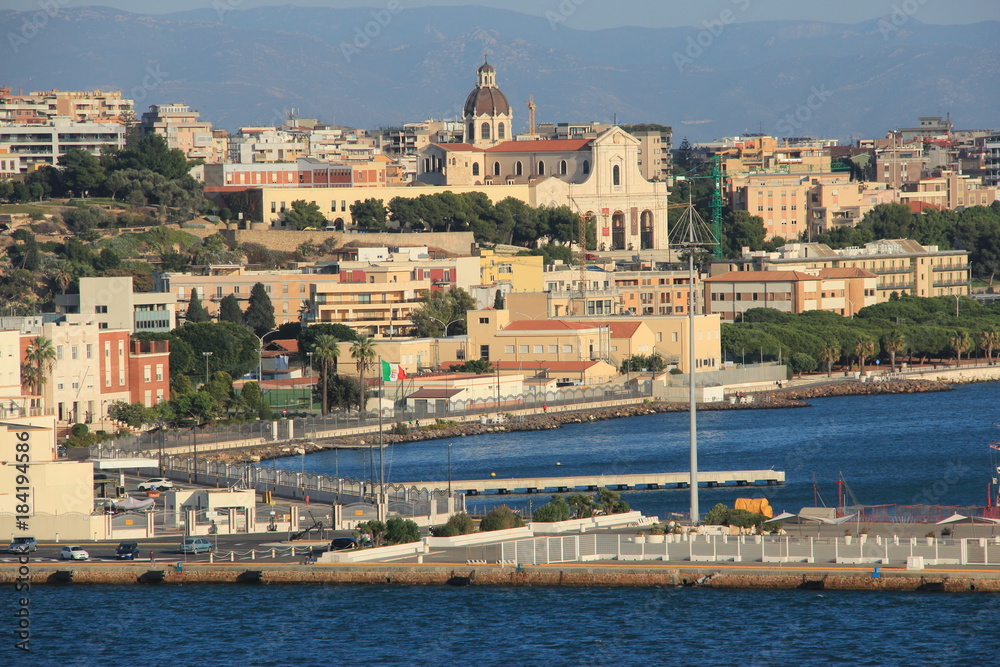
<point>599,177</point>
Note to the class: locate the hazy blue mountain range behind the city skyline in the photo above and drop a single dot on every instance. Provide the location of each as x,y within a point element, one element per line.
<point>243,67</point>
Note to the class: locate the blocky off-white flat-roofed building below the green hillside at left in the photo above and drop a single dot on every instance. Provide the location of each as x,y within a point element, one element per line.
<point>112,303</point>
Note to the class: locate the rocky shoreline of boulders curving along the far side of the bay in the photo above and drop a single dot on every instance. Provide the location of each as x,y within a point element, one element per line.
<point>793,397</point>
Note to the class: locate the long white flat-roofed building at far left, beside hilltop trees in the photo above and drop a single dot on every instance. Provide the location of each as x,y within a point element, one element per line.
<point>41,144</point>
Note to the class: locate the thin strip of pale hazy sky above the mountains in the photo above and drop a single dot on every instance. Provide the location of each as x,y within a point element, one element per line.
<point>591,14</point>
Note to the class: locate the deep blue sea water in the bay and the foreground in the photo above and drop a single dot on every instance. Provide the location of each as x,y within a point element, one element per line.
<point>890,449</point>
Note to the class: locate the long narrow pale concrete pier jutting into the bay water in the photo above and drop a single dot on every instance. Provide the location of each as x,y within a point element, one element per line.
<point>660,480</point>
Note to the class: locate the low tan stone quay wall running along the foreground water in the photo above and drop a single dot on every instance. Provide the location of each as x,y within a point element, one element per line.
<point>603,575</point>
